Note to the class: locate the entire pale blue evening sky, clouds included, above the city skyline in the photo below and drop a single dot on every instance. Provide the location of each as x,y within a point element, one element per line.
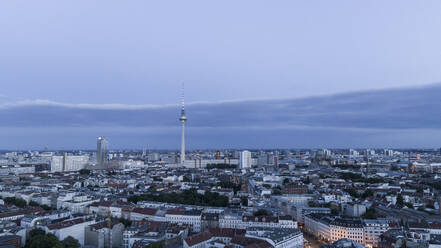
<point>257,74</point>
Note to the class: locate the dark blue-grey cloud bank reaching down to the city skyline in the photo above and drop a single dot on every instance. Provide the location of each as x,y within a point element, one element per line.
<point>395,117</point>
